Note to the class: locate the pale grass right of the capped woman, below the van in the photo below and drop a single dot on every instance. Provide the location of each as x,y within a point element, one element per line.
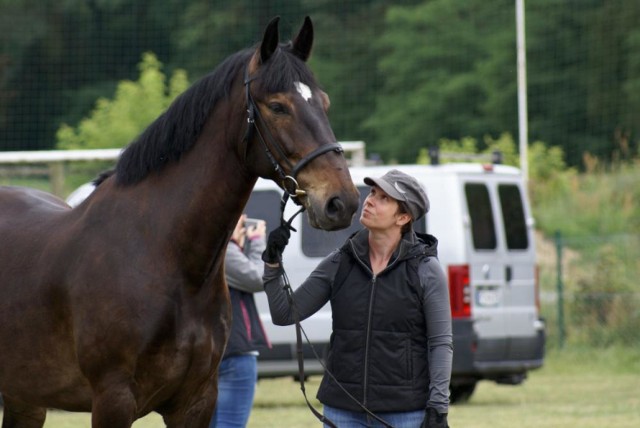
<point>594,388</point>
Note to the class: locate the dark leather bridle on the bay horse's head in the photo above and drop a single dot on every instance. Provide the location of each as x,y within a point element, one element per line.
<point>287,181</point>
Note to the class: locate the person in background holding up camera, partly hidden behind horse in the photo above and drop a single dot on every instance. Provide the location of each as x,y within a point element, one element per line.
<point>238,372</point>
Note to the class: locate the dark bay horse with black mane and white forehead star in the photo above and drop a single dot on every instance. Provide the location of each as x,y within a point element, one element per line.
<point>119,306</point>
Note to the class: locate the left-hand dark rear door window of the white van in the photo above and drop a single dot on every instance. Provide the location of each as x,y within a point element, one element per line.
<point>482,223</point>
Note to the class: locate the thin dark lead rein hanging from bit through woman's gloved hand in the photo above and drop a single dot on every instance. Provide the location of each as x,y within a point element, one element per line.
<point>300,331</point>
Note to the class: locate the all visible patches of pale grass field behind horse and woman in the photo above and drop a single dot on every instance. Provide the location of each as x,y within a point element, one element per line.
<point>590,388</point>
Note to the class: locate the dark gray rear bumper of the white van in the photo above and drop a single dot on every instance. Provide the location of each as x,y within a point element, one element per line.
<point>504,360</point>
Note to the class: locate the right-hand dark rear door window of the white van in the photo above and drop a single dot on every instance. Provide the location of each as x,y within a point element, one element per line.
<point>513,217</point>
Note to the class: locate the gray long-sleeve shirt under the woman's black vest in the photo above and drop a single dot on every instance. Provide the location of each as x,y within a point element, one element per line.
<point>315,292</point>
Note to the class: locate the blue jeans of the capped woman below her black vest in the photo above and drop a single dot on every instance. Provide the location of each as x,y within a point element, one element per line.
<point>348,419</point>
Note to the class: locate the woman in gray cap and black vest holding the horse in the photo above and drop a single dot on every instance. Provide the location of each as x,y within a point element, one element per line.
<point>391,347</point>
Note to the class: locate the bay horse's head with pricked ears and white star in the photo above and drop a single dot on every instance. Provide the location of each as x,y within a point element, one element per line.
<point>289,138</point>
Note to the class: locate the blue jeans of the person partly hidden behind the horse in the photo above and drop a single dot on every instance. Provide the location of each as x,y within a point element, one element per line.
<point>237,377</point>
